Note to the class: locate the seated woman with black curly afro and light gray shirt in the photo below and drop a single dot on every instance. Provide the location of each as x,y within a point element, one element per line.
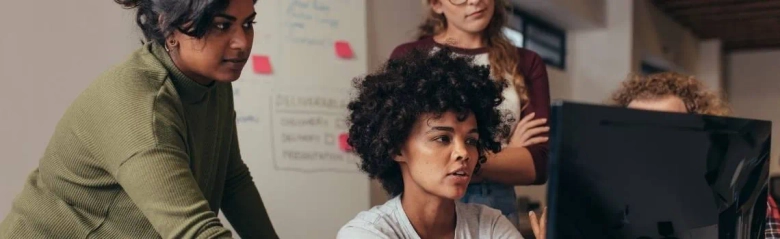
<point>422,125</point>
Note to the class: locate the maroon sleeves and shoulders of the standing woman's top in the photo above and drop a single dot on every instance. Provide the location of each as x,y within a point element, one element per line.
<point>534,71</point>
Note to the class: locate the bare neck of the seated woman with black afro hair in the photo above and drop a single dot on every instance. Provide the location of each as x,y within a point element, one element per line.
<point>431,216</point>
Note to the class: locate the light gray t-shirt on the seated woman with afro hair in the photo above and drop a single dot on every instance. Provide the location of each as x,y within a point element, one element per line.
<point>389,221</point>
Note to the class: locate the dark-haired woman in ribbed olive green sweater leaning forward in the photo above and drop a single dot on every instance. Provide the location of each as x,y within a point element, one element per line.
<point>149,149</point>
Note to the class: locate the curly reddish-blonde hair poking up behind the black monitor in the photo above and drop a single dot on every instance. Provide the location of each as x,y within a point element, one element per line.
<point>694,94</point>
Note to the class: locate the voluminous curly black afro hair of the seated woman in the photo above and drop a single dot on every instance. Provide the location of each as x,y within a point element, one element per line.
<point>389,101</point>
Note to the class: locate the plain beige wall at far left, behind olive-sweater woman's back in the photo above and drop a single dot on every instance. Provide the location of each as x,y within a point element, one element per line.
<point>50,51</point>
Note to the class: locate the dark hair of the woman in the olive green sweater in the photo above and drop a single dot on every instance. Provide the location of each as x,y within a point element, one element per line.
<point>191,17</point>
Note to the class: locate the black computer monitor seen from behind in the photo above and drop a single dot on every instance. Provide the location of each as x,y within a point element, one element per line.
<point>622,173</point>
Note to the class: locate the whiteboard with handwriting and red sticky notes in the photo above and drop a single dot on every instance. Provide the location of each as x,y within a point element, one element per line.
<point>291,109</point>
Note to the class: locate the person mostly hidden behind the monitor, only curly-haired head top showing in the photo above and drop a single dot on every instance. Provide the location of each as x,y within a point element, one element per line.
<point>671,92</point>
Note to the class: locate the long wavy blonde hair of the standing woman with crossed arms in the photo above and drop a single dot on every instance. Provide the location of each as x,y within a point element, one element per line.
<point>502,54</point>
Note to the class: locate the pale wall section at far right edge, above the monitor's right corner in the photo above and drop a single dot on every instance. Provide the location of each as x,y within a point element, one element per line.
<point>754,91</point>
